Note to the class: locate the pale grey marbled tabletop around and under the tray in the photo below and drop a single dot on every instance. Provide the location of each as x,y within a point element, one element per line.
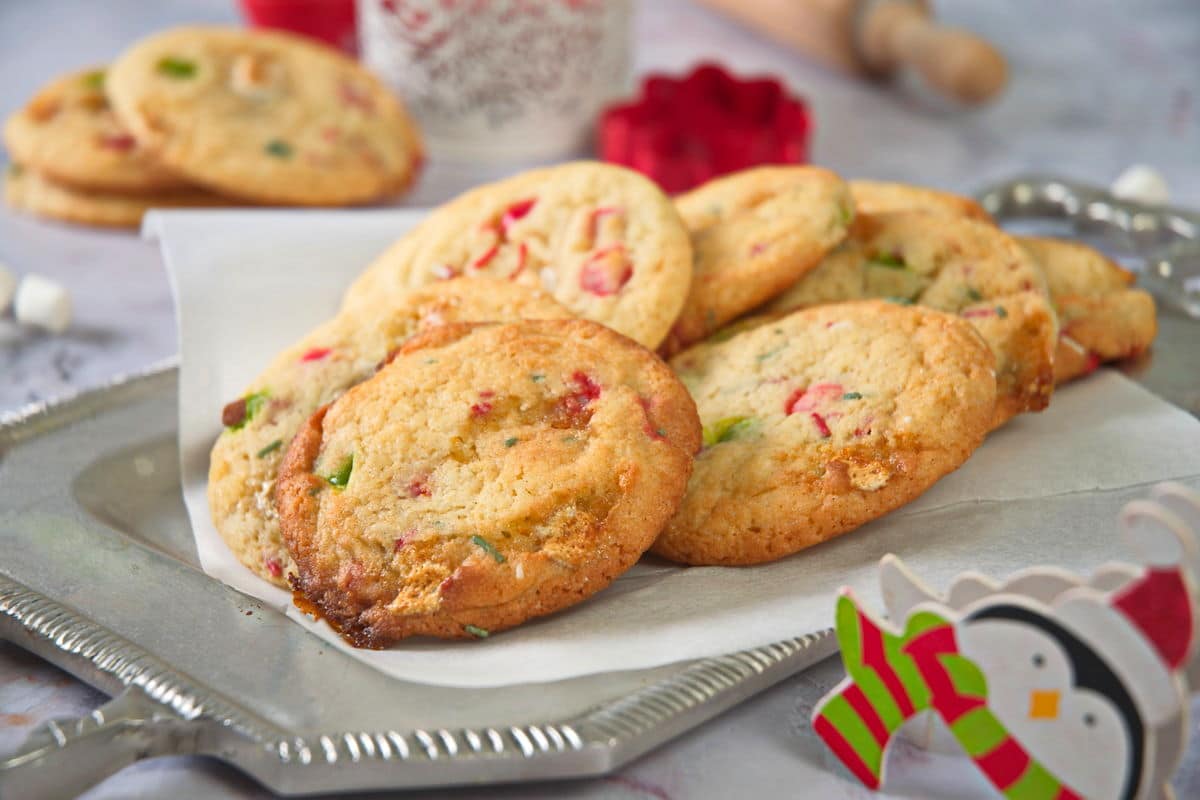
<point>1096,86</point>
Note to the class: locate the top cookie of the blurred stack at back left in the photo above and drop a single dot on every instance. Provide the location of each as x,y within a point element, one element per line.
<point>268,117</point>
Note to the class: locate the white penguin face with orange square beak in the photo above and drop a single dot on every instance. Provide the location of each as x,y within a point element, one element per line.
<point>1077,733</point>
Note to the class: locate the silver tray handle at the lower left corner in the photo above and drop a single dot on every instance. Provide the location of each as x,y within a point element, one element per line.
<point>65,757</point>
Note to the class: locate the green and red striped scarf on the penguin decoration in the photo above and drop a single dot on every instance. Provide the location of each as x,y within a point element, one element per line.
<point>893,678</point>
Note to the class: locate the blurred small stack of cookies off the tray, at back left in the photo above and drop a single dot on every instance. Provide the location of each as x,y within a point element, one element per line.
<point>209,117</point>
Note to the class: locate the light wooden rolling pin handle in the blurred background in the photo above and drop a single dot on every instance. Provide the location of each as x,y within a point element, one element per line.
<point>962,65</point>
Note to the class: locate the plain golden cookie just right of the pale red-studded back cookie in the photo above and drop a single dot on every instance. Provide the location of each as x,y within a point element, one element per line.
<point>754,234</point>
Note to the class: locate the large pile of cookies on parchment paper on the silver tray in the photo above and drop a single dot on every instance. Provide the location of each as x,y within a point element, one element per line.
<point>489,432</point>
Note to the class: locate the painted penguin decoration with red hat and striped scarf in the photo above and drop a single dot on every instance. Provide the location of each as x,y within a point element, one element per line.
<point>1055,685</point>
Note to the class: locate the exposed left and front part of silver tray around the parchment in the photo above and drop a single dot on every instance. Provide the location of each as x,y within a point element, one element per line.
<point>100,578</point>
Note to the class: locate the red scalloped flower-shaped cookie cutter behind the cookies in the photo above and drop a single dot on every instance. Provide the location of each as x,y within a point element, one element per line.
<point>685,131</point>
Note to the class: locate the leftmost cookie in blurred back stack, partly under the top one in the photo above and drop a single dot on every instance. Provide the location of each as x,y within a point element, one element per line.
<point>69,134</point>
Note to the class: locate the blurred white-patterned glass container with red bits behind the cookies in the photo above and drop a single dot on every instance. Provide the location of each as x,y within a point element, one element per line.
<point>496,81</point>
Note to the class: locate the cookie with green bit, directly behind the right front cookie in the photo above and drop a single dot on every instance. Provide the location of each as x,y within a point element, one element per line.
<point>958,266</point>
